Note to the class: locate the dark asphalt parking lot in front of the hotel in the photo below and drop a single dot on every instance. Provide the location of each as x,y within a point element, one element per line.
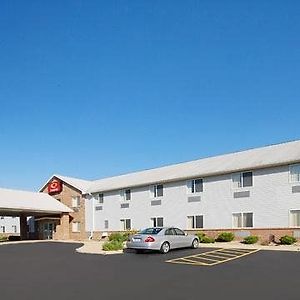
<point>56,271</point>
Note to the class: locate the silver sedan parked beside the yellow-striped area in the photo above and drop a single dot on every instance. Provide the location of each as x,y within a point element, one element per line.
<point>162,239</point>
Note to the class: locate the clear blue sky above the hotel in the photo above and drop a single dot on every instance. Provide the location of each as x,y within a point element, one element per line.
<point>98,88</point>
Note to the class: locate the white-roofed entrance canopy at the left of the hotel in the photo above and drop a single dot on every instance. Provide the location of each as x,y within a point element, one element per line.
<point>14,203</point>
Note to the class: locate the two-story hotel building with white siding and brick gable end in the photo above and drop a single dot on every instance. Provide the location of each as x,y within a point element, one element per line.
<point>255,191</point>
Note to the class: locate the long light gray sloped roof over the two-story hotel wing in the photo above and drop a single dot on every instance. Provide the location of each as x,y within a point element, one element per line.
<point>263,157</point>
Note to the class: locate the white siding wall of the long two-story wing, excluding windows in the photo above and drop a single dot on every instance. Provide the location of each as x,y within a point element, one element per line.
<point>270,201</point>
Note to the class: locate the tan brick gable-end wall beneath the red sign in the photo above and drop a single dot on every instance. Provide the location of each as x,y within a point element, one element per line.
<point>65,196</point>
